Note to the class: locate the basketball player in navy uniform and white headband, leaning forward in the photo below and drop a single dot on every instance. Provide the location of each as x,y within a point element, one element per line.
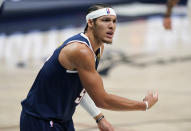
<point>71,72</point>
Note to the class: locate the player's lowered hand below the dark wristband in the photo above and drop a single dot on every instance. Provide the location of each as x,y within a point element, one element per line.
<point>103,125</point>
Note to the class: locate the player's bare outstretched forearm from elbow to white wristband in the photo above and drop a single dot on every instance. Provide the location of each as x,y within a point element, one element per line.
<point>113,102</point>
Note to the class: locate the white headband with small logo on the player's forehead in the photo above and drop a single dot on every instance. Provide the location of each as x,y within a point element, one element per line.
<point>100,12</point>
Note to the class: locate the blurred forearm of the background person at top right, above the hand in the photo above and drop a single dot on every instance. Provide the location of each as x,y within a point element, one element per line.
<point>170,5</point>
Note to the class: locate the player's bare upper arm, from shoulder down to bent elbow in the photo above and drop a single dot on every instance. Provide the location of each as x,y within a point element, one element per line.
<point>81,58</point>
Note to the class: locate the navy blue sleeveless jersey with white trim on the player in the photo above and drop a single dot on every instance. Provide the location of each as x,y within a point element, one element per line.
<point>56,91</point>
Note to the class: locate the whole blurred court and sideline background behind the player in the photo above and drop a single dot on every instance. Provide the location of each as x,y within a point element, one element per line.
<point>144,56</point>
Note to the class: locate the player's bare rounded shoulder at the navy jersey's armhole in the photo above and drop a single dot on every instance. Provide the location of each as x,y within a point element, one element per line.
<point>76,55</point>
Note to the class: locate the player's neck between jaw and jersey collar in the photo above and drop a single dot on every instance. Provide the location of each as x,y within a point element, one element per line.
<point>96,44</point>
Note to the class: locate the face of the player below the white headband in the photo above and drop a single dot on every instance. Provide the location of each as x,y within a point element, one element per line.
<point>104,28</point>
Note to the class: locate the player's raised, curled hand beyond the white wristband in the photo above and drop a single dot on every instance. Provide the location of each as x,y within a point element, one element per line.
<point>151,98</point>
